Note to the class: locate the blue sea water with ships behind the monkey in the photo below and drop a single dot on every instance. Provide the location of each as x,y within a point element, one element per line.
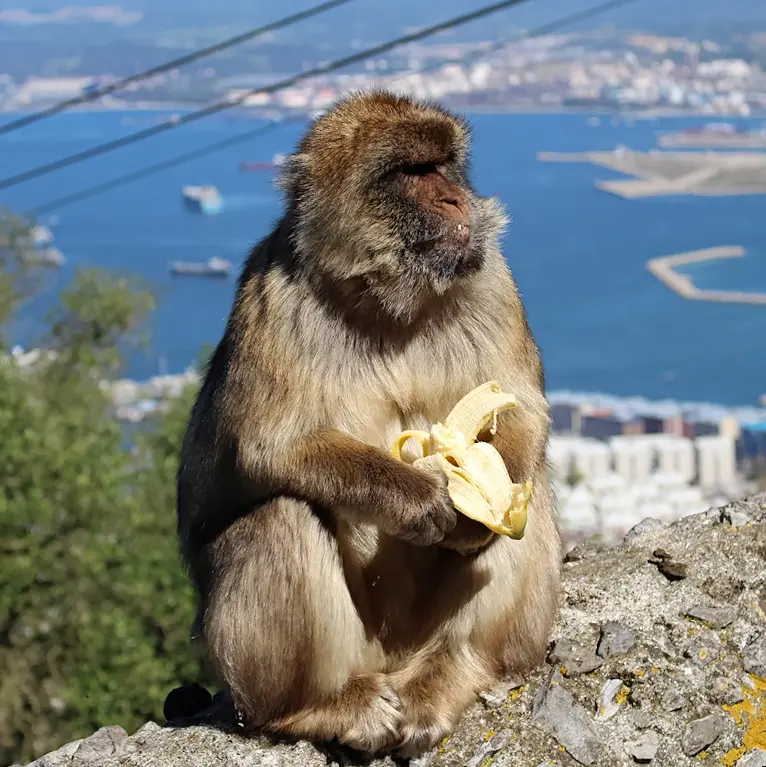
<point>604,323</point>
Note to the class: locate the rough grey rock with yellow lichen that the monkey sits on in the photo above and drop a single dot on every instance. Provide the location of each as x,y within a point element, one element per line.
<point>658,657</point>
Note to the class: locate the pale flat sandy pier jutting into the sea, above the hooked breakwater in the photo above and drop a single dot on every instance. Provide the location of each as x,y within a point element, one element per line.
<point>657,174</point>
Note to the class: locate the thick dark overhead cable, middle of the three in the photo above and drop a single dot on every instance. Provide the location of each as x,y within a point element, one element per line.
<point>109,146</point>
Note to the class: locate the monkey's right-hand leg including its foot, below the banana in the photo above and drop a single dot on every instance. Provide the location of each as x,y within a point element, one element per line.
<point>506,598</point>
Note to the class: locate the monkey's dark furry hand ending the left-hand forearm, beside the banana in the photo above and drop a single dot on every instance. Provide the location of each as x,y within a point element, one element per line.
<point>425,512</point>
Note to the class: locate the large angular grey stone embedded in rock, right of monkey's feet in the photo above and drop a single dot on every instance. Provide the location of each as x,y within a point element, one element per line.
<point>556,712</point>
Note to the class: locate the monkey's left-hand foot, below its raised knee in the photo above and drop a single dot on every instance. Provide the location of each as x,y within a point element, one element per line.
<point>365,716</point>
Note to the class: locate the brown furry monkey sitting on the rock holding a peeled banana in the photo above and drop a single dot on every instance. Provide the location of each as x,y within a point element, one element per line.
<point>341,597</point>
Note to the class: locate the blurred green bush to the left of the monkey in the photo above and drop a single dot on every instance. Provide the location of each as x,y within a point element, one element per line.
<point>95,609</point>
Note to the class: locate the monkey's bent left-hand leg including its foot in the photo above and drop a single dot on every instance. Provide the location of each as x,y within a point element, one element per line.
<point>286,637</point>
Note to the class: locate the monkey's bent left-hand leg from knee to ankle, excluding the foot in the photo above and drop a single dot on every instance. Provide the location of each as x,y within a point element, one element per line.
<point>280,625</point>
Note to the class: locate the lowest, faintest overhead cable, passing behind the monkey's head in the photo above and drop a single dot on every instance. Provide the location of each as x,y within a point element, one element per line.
<point>218,146</point>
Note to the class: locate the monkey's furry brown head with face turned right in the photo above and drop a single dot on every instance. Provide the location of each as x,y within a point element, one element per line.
<point>382,201</point>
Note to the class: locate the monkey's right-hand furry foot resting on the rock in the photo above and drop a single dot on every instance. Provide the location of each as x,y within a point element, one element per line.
<point>435,686</point>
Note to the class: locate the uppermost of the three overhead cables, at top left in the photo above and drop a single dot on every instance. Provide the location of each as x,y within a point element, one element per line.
<point>188,58</point>
